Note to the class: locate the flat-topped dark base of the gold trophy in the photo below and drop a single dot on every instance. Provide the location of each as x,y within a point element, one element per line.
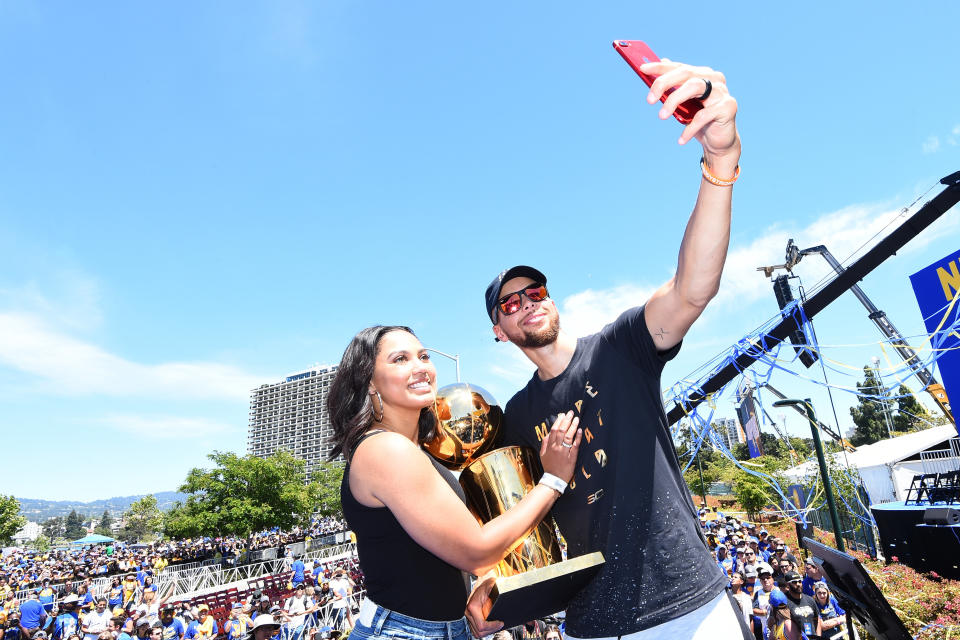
<point>541,592</point>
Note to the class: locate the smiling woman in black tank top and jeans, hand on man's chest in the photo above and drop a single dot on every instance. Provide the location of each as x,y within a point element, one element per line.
<point>414,533</point>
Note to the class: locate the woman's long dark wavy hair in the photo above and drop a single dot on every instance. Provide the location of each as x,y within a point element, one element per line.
<point>349,403</point>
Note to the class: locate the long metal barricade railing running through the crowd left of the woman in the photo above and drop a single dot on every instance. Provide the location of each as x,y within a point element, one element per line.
<point>201,578</point>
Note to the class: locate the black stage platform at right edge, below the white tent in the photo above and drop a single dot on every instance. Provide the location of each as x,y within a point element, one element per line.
<point>904,536</point>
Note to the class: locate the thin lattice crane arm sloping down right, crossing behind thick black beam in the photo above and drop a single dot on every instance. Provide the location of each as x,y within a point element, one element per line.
<point>930,384</point>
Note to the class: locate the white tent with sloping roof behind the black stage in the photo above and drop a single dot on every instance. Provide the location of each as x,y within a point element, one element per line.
<point>888,466</point>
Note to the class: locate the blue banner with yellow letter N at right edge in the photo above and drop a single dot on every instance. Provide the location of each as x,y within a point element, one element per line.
<point>935,287</point>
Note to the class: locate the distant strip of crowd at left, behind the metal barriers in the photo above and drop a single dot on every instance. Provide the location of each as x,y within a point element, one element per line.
<point>23,569</point>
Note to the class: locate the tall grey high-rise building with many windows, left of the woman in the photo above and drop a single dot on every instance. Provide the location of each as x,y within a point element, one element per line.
<point>292,415</point>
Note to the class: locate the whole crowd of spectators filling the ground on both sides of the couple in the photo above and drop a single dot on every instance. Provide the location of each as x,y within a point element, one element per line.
<point>779,596</point>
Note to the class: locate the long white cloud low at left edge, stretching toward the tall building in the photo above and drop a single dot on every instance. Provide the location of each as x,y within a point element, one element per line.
<point>62,364</point>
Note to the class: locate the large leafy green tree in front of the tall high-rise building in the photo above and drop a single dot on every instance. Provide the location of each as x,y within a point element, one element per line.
<point>244,494</point>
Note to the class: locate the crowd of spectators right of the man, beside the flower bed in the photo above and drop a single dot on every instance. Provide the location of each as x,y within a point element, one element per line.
<point>777,601</point>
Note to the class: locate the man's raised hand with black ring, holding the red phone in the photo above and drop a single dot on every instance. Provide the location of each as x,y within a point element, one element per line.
<point>713,126</point>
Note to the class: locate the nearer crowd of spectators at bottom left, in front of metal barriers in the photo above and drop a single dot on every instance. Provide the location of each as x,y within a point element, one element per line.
<point>319,598</point>
